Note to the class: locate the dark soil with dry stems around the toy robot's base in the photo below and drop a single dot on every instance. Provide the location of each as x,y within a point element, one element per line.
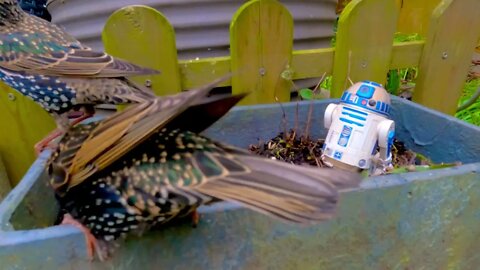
<point>300,150</point>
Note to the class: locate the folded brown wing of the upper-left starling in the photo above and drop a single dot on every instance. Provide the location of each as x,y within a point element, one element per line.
<point>40,47</point>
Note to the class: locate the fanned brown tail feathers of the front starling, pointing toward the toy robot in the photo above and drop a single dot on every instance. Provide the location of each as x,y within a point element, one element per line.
<point>285,191</point>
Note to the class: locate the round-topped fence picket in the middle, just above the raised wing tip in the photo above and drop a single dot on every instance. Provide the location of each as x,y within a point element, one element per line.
<point>261,42</point>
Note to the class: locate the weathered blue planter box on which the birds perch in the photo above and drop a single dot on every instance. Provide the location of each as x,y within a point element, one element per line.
<point>415,220</point>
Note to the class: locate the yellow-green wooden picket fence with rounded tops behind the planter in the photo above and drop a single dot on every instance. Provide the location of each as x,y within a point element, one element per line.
<point>263,62</point>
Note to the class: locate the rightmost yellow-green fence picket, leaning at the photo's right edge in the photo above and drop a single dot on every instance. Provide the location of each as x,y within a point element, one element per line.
<point>453,33</point>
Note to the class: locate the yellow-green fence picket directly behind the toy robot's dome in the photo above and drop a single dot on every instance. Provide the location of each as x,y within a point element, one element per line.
<point>364,43</point>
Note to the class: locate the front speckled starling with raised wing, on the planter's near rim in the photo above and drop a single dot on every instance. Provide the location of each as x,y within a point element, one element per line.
<point>148,165</point>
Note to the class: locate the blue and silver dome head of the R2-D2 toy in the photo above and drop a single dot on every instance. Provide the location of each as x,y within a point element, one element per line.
<point>368,95</point>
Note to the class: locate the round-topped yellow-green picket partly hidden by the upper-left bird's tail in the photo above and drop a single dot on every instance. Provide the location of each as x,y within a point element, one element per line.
<point>144,36</point>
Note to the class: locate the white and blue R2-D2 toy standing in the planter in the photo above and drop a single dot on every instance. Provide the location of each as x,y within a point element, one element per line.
<point>358,126</point>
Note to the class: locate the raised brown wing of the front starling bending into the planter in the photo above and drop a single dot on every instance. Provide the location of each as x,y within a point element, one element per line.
<point>117,135</point>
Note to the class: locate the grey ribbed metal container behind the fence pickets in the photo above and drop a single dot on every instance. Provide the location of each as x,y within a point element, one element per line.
<point>201,26</point>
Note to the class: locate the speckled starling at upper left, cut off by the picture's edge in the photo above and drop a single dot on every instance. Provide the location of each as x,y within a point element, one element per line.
<point>46,64</point>
